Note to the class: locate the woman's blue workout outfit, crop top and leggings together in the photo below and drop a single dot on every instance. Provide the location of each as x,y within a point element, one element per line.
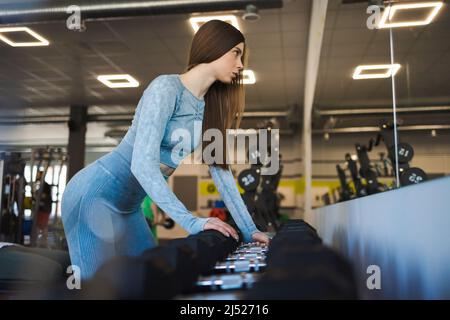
<point>101,205</point>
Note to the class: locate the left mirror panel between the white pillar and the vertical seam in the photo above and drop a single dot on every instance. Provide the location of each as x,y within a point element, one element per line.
<point>353,100</point>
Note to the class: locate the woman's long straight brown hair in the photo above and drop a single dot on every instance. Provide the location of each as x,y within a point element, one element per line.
<point>224,103</point>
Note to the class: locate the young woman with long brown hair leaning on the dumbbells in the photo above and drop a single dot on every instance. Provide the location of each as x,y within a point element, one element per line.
<point>101,204</point>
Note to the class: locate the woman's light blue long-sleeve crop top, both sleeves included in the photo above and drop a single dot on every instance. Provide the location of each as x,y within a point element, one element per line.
<point>166,107</point>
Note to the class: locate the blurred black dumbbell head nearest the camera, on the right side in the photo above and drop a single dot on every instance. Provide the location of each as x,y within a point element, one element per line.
<point>299,272</point>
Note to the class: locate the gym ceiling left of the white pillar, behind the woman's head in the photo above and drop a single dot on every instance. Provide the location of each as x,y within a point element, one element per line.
<point>64,73</point>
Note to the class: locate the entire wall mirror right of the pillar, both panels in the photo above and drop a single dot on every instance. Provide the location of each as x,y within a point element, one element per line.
<point>381,108</point>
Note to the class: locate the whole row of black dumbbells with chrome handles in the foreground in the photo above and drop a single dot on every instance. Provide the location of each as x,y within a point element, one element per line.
<point>209,265</point>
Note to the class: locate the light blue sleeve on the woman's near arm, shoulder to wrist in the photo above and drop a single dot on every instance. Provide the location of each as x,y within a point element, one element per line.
<point>158,103</point>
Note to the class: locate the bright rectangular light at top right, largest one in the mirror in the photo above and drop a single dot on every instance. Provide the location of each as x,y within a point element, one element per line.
<point>388,21</point>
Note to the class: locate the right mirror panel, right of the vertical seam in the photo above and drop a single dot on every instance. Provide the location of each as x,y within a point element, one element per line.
<point>420,47</point>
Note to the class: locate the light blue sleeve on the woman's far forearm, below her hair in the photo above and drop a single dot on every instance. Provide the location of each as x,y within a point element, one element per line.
<point>225,183</point>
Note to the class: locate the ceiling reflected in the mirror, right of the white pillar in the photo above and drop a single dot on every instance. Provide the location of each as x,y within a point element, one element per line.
<point>423,52</point>
